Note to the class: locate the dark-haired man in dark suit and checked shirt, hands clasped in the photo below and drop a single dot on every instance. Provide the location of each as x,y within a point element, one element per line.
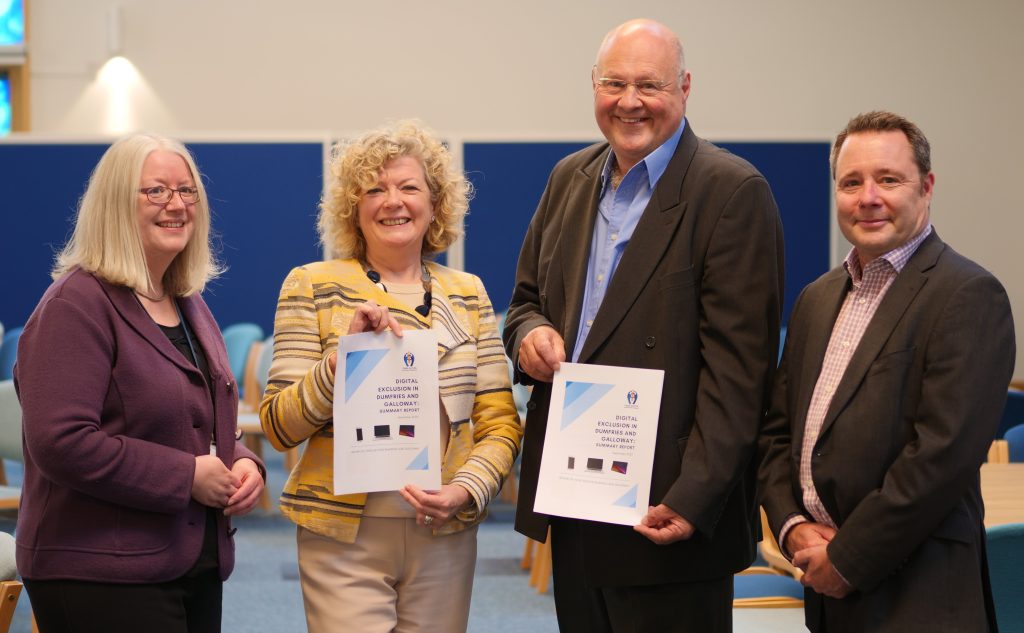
<point>888,397</point>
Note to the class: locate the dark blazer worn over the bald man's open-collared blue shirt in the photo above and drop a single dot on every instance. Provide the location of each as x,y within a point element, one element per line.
<point>698,294</point>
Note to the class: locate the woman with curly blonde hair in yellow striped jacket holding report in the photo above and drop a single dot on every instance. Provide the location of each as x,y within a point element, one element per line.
<point>400,561</point>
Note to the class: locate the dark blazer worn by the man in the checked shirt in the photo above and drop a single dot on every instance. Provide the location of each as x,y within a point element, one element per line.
<point>897,463</point>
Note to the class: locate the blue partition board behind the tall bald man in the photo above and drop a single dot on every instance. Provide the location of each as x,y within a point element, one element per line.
<point>509,179</point>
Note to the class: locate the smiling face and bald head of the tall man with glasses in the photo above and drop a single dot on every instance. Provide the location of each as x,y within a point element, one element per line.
<point>636,125</point>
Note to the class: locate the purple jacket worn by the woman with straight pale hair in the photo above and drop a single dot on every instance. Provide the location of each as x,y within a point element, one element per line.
<point>114,416</point>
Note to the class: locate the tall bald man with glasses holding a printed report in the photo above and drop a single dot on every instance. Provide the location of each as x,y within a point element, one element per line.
<point>656,250</point>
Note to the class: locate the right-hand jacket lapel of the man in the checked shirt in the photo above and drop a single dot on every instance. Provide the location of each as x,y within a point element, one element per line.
<point>893,307</point>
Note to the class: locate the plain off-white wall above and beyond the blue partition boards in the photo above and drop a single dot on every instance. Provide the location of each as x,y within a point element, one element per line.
<point>783,70</point>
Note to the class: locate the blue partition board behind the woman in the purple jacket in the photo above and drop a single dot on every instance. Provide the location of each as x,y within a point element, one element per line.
<point>264,198</point>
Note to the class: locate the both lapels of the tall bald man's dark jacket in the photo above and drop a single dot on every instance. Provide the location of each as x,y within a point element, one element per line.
<point>652,238</point>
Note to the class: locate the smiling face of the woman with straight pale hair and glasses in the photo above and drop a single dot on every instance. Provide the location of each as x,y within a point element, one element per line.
<point>165,230</point>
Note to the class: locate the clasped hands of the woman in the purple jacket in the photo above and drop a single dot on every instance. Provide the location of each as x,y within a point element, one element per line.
<point>236,490</point>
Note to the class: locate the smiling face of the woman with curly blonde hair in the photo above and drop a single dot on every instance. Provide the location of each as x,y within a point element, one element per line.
<point>395,215</point>
